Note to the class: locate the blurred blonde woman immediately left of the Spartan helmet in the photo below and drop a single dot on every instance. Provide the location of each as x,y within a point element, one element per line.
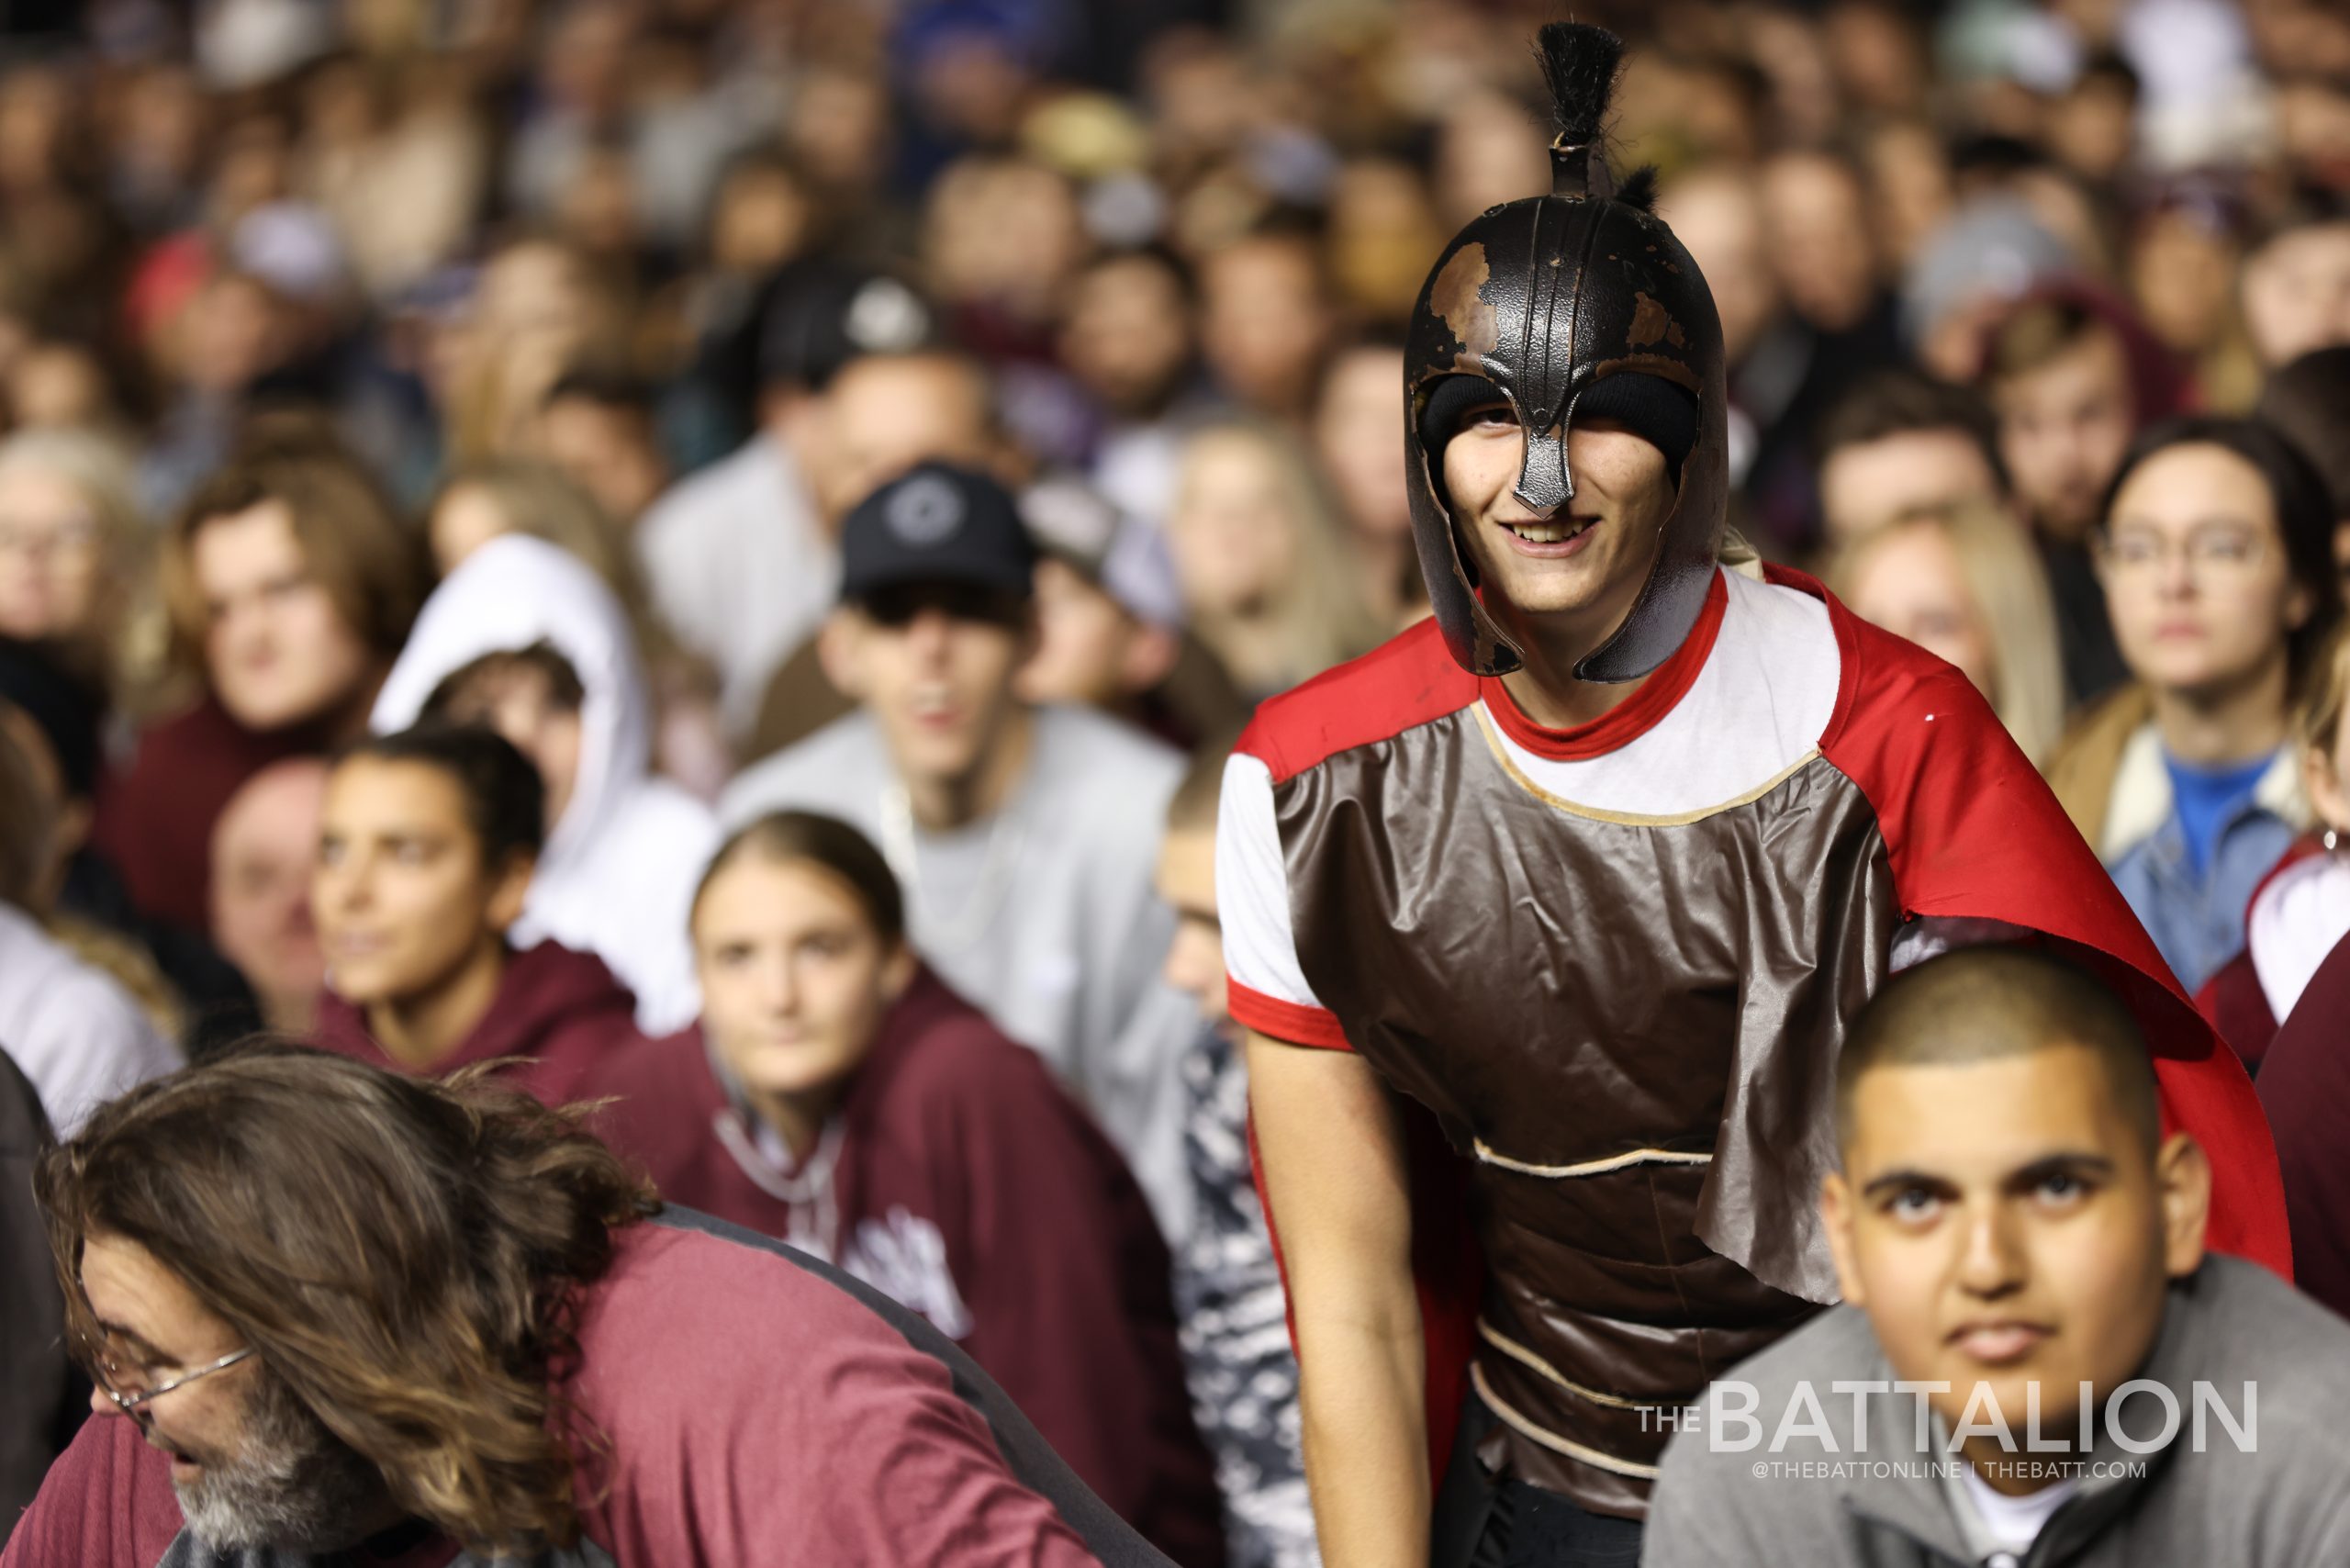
<point>1258,556</point>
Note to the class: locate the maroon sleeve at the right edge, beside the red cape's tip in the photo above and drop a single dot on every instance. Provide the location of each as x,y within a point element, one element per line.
<point>2307,1090</point>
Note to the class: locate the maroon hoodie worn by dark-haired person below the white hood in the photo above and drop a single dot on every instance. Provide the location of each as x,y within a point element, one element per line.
<point>556,1007</point>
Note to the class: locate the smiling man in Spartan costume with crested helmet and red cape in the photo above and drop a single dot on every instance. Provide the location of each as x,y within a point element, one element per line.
<point>1547,918</point>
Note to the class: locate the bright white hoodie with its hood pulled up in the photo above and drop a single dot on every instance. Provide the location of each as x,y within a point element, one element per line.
<point>619,869</point>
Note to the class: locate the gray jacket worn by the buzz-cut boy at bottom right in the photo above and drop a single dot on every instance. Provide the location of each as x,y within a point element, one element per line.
<point>1815,1499</point>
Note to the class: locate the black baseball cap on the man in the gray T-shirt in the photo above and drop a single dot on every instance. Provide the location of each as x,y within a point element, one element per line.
<point>939,528</point>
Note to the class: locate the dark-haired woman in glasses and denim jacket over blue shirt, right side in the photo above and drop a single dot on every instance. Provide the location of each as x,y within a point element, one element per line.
<point>2215,556</point>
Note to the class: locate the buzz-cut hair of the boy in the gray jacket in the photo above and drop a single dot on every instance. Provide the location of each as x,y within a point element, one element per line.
<point>1992,1003</point>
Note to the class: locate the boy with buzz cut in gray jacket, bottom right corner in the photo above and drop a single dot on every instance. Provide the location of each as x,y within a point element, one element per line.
<point>2036,1360</point>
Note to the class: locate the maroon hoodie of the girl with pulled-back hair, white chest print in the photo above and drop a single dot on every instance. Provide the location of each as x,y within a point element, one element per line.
<point>969,1188</point>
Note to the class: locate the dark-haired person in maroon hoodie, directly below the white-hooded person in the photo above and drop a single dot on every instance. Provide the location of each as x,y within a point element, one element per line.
<point>427,855</point>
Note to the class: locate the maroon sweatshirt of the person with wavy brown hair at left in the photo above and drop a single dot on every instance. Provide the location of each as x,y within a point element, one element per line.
<point>154,819</point>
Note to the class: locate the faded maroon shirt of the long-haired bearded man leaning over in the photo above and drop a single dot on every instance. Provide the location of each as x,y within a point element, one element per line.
<point>760,1414</point>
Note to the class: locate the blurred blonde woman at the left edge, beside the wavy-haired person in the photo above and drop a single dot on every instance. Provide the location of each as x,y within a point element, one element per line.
<point>74,558</point>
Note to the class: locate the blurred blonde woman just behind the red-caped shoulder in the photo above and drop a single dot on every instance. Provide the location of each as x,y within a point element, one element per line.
<point>1966,584</point>
